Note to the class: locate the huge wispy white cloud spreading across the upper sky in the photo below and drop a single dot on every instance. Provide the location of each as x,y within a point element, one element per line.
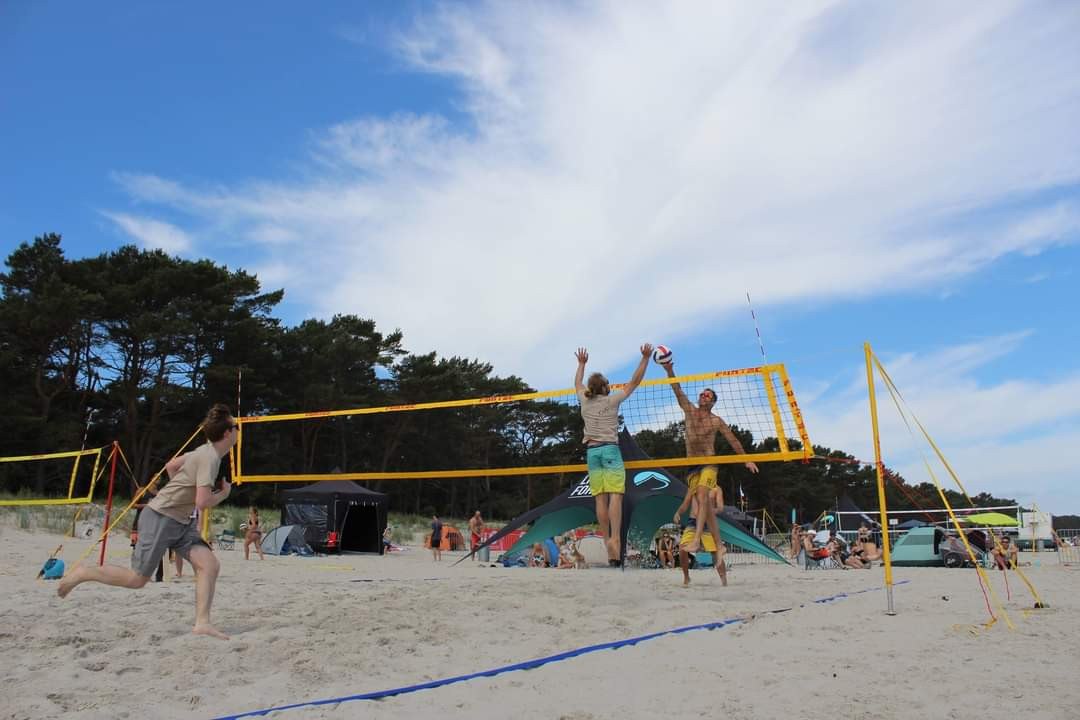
<point>814,151</point>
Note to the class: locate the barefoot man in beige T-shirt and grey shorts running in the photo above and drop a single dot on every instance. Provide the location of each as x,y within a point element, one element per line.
<point>167,523</point>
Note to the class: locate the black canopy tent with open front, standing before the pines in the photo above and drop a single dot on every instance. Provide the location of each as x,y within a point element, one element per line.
<point>358,515</point>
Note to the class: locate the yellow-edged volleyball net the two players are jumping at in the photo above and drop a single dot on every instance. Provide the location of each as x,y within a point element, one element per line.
<point>520,434</point>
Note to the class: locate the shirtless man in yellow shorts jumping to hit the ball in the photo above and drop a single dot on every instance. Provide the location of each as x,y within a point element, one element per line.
<point>701,429</point>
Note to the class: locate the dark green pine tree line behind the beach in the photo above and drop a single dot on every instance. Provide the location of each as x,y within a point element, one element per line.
<point>134,346</point>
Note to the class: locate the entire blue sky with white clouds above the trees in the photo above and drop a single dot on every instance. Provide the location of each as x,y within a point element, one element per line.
<point>510,182</point>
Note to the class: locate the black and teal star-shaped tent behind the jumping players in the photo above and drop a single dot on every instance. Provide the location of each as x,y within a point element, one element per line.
<point>653,496</point>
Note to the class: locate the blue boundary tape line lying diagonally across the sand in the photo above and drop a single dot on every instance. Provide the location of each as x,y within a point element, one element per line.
<point>531,664</point>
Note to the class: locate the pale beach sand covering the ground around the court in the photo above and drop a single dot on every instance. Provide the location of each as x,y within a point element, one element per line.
<point>306,630</point>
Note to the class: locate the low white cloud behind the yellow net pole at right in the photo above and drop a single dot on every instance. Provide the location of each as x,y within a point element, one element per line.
<point>1012,439</point>
